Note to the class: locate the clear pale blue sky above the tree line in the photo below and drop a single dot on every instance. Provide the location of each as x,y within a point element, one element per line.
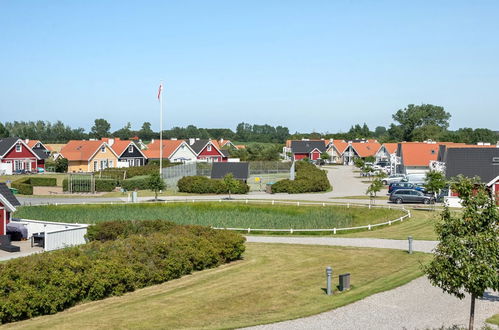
<point>308,65</point>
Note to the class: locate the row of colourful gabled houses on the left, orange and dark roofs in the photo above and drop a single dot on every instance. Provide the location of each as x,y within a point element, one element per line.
<point>95,155</point>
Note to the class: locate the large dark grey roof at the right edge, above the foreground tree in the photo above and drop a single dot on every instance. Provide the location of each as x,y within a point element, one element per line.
<point>470,162</point>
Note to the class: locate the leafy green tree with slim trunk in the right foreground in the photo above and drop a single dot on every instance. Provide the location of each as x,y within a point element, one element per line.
<point>466,259</point>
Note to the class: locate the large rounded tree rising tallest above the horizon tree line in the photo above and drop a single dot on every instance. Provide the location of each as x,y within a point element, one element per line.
<point>425,120</point>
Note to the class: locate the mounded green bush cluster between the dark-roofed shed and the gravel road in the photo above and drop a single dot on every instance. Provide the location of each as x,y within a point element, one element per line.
<point>308,178</point>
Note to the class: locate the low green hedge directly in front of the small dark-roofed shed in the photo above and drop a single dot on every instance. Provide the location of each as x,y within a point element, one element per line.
<point>204,185</point>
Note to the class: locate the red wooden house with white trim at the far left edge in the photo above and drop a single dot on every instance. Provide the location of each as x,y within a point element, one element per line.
<point>18,154</point>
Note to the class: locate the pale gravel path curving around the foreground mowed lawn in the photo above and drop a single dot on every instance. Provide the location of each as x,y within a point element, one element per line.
<point>416,305</point>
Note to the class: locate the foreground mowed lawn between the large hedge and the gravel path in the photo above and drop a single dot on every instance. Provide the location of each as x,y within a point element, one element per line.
<point>274,282</point>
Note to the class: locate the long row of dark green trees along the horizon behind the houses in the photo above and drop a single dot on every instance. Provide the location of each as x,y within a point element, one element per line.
<point>413,123</point>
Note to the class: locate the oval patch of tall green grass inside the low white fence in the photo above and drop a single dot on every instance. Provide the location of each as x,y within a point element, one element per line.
<point>234,215</point>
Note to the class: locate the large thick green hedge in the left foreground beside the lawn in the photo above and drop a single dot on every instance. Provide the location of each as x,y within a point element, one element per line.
<point>47,283</point>
